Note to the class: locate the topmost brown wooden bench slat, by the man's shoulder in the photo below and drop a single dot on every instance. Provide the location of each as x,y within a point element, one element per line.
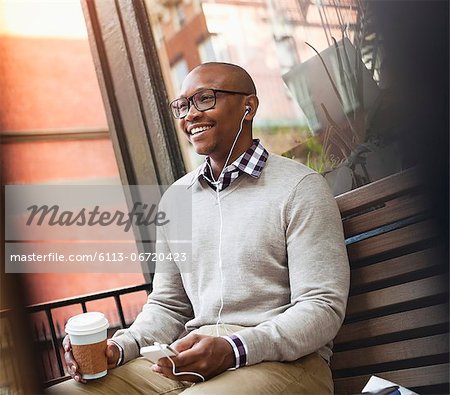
<point>378,191</point>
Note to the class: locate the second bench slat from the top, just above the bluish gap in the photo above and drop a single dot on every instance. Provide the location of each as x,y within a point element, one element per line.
<point>392,211</point>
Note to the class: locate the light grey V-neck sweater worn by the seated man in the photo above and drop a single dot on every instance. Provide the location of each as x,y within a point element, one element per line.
<point>284,264</point>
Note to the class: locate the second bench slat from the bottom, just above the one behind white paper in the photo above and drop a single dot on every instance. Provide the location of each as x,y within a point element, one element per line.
<point>398,351</point>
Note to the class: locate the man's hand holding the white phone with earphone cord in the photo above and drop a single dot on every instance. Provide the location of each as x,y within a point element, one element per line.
<point>206,355</point>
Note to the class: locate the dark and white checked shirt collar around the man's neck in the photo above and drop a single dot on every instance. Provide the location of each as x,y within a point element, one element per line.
<point>251,162</point>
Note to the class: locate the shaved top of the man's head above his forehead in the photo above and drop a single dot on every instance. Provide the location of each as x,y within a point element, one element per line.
<point>236,77</point>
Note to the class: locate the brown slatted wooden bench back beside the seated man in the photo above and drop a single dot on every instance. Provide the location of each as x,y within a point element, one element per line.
<point>397,319</point>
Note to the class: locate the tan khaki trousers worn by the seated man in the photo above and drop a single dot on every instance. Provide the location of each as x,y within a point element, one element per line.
<point>307,375</point>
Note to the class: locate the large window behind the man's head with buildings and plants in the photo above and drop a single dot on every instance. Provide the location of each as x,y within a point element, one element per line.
<point>320,73</point>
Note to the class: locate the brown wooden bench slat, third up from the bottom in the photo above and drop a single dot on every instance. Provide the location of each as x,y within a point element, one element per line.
<point>393,323</point>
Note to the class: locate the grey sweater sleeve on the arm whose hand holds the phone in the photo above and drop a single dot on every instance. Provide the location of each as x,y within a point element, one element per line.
<point>318,276</point>
